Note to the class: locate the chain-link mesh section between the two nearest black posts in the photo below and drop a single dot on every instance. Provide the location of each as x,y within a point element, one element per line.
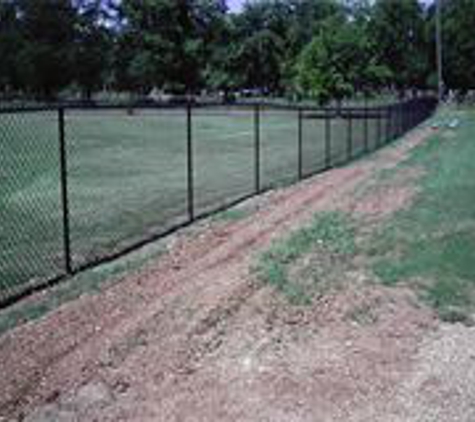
<point>126,177</point>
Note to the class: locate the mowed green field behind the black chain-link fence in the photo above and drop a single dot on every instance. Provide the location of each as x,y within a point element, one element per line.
<point>127,176</point>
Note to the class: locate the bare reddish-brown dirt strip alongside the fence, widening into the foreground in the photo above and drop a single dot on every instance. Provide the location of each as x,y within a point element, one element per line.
<point>196,338</point>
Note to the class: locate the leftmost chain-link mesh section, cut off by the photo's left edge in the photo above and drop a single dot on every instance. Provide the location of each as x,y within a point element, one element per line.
<point>31,248</point>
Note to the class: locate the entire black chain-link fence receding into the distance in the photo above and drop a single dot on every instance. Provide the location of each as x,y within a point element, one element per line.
<point>333,148</point>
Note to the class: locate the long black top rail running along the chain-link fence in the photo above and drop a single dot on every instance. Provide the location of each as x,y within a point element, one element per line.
<point>197,105</point>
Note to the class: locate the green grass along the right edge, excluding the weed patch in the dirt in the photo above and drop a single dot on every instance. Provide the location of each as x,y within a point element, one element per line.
<point>434,240</point>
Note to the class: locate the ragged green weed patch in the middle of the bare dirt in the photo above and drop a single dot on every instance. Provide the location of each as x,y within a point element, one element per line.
<point>328,232</point>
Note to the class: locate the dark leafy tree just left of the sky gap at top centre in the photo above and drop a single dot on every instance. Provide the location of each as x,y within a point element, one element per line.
<point>168,41</point>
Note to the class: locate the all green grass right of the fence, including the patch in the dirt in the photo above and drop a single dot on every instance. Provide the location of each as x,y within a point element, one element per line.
<point>428,246</point>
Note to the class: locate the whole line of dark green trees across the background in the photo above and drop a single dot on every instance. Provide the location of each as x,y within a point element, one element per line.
<point>323,49</point>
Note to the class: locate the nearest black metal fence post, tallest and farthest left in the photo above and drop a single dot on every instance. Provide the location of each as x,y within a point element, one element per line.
<point>64,192</point>
